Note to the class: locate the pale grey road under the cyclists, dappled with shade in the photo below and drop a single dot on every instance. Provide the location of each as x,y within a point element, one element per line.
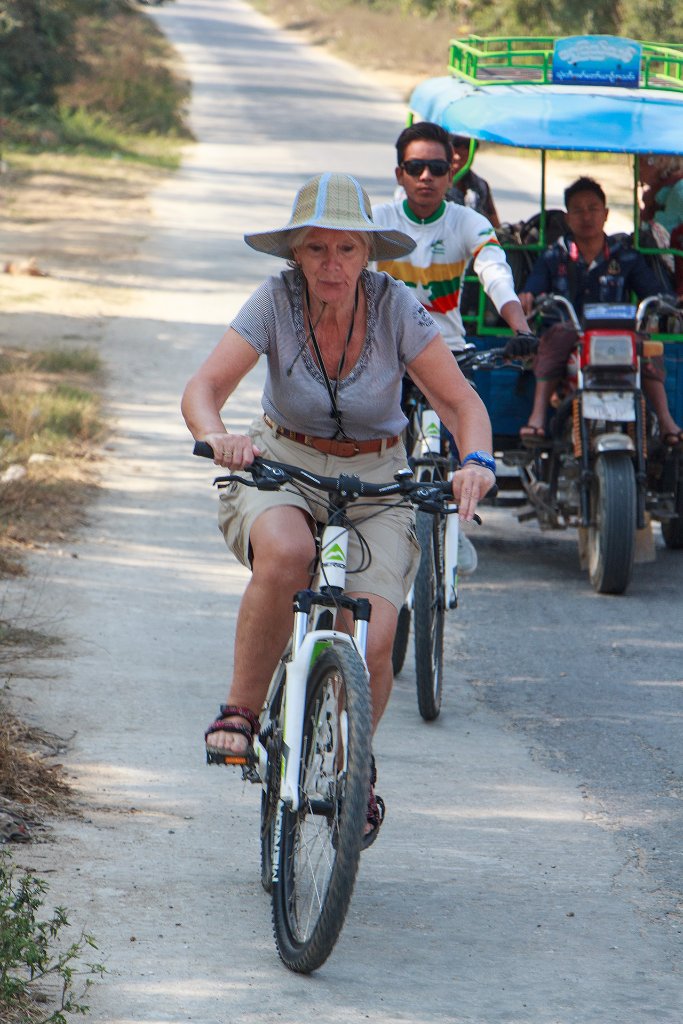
<point>505,887</point>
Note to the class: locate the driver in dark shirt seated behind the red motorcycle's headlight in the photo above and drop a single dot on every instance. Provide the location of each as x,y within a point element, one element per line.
<point>587,266</point>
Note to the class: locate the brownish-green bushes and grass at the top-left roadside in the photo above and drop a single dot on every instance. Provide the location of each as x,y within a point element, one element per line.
<point>96,78</point>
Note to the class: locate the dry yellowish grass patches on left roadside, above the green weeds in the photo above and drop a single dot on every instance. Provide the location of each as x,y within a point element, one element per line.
<point>50,422</point>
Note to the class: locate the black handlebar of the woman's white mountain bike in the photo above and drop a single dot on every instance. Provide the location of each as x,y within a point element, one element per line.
<point>429,496</point>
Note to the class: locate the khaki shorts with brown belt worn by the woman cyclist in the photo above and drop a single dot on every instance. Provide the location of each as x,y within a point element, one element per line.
<point>390,536</point>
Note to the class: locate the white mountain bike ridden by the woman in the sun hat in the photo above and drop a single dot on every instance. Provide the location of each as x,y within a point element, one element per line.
<point>313,753</point>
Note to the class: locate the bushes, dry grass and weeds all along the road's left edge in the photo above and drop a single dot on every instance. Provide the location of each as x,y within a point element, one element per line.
<point>88,89</point>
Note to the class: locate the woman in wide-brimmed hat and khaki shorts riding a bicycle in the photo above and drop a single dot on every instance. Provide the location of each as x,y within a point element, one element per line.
<point>337,339</point>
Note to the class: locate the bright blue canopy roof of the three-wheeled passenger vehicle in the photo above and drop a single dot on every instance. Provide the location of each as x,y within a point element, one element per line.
<point>554,117</point>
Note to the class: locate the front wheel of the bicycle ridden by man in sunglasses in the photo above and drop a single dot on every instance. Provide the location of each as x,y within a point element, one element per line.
<point>429,613</point>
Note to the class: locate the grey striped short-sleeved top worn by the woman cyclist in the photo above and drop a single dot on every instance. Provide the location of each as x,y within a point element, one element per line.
<point>369,399</point>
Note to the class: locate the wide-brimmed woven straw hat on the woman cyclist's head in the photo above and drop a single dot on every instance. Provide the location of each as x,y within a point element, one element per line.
<point>337,202</point>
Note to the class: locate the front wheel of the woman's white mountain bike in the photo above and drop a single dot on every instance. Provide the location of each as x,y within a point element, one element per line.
<point>319,846</point>
